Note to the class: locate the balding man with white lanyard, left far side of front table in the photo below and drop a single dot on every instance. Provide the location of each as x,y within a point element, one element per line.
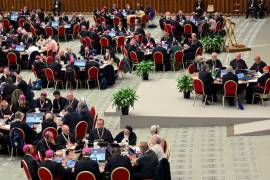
<point>65,139</point>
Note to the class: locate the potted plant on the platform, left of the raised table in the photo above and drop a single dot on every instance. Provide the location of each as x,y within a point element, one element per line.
<point>185,85</point>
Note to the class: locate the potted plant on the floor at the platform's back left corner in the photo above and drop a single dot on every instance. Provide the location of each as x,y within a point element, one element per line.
<point>143,69</point>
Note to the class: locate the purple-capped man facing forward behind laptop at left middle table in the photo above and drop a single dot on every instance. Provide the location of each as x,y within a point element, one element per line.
<point>43,103</point>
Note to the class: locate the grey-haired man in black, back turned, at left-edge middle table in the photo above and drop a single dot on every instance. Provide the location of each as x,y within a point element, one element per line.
<point>19,123</point>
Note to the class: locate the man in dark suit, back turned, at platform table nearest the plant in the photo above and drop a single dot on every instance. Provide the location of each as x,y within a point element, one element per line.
<point>207,79</point>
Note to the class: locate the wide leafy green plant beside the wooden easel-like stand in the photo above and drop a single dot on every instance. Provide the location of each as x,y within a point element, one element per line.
<point>213,43</point>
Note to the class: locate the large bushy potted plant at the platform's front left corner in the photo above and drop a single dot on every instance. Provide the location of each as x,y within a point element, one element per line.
<point>123,99</point>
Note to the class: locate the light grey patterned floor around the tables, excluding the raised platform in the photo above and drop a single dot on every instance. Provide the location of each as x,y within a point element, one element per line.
<point>197,153</point>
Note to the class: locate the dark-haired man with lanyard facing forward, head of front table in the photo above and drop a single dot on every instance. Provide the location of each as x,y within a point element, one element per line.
<point>100,133</point>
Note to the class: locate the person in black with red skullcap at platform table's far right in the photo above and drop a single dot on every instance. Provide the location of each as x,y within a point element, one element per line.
<point>259,88</point>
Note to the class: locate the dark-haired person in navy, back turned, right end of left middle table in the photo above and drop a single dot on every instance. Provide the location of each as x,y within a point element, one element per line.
<point>72,118</point>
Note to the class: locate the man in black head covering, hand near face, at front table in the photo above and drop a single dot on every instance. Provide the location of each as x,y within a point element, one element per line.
<point>127,135</point>
